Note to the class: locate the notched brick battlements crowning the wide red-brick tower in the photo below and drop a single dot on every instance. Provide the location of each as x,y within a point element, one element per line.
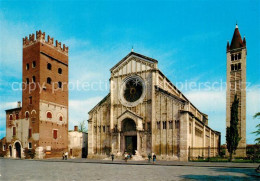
<point>40,37</point>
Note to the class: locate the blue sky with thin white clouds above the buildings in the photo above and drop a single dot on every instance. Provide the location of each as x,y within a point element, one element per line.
<point>188,38</point>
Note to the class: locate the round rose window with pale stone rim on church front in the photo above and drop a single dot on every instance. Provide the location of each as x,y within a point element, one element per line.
<point>132,91</point>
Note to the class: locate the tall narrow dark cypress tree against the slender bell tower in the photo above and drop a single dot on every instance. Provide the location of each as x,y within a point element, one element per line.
<point>232,136</point>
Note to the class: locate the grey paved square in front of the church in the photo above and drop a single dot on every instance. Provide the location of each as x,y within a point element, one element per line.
<point>81,170</point>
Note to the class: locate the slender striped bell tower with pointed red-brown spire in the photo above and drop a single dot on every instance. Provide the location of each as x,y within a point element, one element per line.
<point>236,85</point>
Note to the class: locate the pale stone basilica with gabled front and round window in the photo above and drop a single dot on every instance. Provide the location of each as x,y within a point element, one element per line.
<point>144,113</point>
